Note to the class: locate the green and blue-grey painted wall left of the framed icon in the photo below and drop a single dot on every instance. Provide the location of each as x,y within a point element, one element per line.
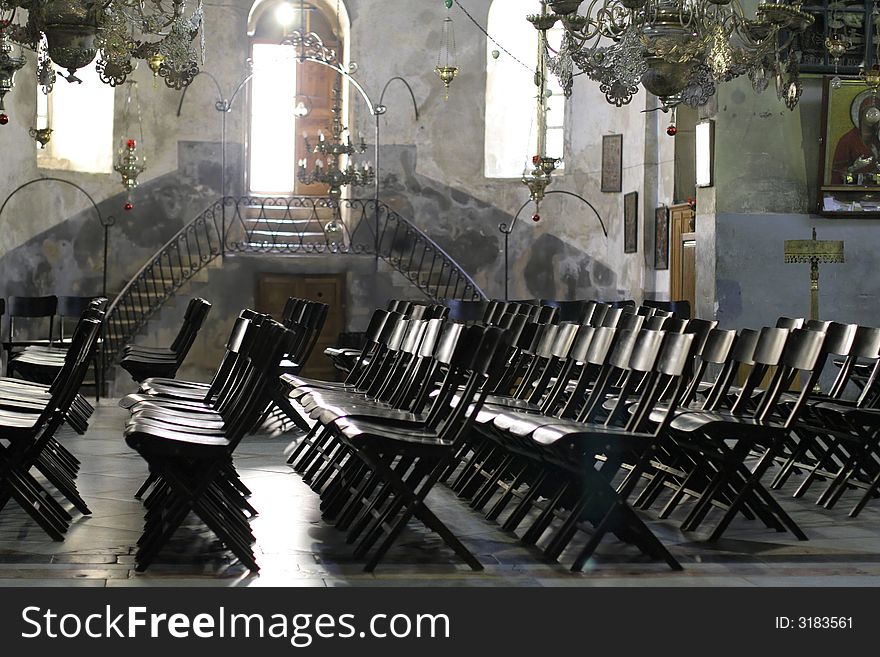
<point>766,176</point>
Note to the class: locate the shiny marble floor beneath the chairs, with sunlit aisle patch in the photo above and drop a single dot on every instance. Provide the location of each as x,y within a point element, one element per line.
<point>296,548</point>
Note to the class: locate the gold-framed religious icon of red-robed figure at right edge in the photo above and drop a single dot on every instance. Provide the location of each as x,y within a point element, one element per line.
<point>849,176</point>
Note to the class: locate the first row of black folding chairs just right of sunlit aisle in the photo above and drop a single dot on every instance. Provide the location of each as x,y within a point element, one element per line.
<point>380,441</point>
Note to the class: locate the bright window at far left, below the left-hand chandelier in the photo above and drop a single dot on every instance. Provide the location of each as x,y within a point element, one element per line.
<point>81,118</point>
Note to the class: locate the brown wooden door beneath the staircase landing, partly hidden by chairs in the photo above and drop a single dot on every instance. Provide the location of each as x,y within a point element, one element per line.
<point>272,293</point>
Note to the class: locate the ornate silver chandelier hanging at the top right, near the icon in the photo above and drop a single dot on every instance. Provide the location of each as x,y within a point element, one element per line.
<point>679,50</point>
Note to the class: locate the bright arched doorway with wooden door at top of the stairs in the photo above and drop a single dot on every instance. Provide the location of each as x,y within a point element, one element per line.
<point>290,99</point>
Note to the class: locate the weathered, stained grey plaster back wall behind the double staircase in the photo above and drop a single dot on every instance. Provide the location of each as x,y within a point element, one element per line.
<point>431,170</point>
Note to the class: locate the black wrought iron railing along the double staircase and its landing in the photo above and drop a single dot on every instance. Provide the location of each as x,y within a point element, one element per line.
<point>285,226</point>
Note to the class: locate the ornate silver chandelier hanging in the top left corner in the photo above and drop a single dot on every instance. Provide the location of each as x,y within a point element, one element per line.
<point>70,34</point>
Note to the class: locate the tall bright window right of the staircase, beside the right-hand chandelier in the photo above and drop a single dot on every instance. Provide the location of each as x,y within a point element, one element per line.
<point>511,130</point>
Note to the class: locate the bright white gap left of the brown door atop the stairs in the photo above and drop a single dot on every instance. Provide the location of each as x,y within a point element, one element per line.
<point>273,131</point>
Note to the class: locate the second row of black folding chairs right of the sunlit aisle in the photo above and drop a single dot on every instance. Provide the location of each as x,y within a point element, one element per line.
<point>568,374</point>
